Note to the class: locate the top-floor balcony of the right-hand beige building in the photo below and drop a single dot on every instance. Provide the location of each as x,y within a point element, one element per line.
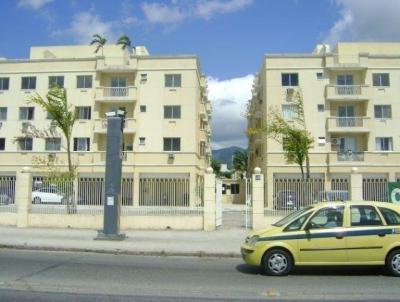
<point>347,92</point>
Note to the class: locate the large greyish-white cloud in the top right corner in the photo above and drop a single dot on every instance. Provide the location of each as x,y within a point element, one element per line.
<point>366,20</point>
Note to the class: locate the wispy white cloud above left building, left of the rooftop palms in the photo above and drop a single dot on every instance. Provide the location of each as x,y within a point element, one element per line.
<point>85,24</point>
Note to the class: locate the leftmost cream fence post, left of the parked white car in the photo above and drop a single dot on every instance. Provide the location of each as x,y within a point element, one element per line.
<point>23,197</point>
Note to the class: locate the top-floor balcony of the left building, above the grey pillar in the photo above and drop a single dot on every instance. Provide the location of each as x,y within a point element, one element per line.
<point>116,94</point>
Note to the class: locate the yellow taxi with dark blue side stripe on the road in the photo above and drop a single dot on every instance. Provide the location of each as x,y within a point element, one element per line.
<point>329,233</point>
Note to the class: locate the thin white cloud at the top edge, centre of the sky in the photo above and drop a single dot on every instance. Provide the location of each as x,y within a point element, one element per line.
<point>177,11</point>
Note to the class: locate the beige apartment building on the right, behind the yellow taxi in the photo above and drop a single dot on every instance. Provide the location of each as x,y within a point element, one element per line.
<point>352,110</point>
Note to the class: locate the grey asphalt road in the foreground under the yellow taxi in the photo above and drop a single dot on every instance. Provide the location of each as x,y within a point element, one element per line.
<point>57,276</point>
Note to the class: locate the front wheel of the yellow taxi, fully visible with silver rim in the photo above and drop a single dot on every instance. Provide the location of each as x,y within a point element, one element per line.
<point>277,262</point>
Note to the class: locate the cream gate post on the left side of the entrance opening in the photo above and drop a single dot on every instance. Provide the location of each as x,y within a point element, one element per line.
<point>209,214</point>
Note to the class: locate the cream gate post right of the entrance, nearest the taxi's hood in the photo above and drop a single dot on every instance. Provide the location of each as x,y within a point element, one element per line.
<point>258,199</point>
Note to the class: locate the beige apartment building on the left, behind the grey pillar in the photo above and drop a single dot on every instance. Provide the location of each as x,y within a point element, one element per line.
<point>167,126</point>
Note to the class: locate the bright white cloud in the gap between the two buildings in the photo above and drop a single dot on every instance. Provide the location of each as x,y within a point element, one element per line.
<point>229,99</point>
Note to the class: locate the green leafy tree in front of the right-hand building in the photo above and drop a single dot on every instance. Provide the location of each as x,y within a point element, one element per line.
<point>296,141</point>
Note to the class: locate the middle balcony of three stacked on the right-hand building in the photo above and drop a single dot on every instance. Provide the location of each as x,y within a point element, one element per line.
<point>348,124</point>
